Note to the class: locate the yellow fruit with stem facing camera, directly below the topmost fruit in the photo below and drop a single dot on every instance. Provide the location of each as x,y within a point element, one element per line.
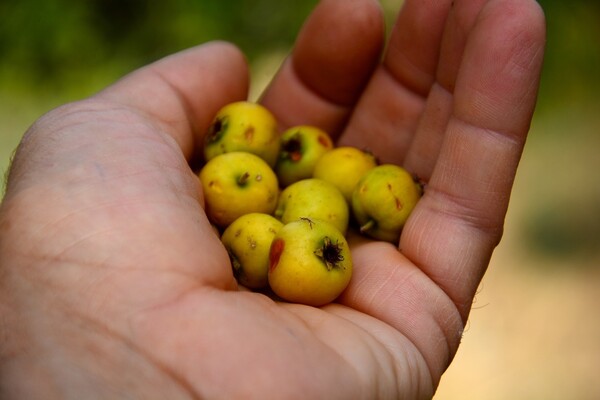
<point>235,184</point>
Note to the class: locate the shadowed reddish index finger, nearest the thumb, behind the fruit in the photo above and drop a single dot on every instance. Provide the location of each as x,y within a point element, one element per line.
<point>334,56</point>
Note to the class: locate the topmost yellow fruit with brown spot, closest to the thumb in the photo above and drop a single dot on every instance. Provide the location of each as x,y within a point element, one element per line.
<point>243,126</point>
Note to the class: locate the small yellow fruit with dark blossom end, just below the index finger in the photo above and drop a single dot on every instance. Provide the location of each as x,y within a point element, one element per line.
<point>301,147</point>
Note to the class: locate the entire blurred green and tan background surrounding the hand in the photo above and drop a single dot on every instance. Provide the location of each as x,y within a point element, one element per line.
<point>534,331</point>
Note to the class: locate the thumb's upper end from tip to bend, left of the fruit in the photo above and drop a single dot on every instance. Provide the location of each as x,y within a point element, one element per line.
<point>184,91</point>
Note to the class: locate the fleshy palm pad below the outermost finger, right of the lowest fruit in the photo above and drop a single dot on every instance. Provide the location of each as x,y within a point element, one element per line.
<point>386,285</point>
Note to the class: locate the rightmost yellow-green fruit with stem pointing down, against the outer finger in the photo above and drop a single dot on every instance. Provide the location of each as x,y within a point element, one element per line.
<point>383,200</point>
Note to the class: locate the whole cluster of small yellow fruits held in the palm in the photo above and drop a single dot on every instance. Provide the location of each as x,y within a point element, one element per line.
<point>284,202</point>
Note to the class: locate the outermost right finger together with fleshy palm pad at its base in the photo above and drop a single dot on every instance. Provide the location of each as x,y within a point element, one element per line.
<point>447,243</point>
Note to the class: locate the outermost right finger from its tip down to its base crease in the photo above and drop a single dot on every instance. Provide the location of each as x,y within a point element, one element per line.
<point>459,221</point>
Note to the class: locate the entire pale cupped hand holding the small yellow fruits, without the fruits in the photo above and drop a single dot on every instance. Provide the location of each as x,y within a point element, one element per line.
<point>113,284</point>
